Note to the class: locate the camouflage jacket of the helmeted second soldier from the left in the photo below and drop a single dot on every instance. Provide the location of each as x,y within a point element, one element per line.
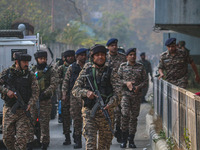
<point>50,76</point>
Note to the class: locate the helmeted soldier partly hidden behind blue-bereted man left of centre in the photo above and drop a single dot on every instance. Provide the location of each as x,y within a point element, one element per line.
<point>65,104</point>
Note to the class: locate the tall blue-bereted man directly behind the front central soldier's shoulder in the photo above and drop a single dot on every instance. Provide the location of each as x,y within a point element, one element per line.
<point>116,58</point>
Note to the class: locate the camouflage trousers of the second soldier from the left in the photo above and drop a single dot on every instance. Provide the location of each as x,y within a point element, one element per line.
<point>44,118</point>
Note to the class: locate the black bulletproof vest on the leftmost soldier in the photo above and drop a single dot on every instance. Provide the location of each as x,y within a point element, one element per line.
<point>20,83</point>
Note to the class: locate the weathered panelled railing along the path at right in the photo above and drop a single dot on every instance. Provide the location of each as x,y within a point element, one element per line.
<point>179,110</point>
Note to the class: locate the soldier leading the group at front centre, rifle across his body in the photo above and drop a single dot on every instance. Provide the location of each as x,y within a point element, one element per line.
<point>102,78</point>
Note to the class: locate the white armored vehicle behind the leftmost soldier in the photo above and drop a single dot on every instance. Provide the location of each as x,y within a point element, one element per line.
<point>12,41</point>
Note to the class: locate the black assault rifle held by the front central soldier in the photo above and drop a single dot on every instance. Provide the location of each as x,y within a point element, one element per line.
<point>99,104</point>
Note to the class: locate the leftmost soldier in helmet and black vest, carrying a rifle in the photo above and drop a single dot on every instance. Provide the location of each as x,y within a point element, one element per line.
<point>16,125</point>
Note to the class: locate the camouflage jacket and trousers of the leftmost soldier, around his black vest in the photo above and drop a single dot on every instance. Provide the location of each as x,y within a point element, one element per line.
<point>16,126</point>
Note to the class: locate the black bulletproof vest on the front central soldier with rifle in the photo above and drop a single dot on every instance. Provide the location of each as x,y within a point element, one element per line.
<point>103,84</point>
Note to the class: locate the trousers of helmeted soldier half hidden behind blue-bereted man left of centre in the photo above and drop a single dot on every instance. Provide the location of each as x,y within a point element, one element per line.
<point>65,111</point>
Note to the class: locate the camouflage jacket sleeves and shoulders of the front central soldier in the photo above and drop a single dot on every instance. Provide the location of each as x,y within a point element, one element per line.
<point>79,90</point>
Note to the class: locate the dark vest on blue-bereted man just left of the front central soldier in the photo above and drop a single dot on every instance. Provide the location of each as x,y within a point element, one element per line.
<point>76,69</point>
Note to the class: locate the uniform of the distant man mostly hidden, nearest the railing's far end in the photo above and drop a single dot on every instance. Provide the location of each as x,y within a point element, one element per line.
<point>148,69</point>
